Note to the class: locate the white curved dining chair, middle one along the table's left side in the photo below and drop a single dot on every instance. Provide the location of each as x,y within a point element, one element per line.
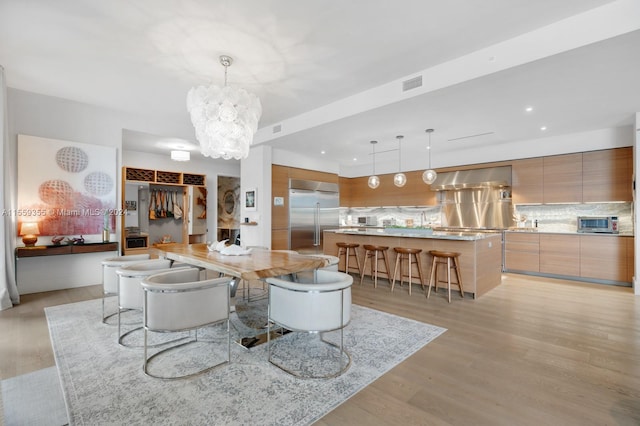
<point>130,293</point>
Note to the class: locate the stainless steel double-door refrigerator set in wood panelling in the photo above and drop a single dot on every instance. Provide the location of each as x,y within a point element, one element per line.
<point>313,207</point>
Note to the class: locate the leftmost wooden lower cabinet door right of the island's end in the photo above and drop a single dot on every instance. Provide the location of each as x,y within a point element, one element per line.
<point>522,252</point>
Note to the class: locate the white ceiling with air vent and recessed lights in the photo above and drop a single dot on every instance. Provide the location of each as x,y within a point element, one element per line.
<point>323,70</point>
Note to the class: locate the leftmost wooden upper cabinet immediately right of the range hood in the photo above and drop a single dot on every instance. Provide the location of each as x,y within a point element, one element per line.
<point>527,181</point>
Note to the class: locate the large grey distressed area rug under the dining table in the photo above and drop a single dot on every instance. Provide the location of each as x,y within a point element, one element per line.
<point>103,383</point>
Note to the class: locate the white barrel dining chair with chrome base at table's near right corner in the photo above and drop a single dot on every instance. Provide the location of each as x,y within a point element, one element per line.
<point>315,302</point>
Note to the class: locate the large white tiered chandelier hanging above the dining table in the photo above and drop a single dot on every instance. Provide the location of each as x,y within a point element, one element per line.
<point>225,118</point>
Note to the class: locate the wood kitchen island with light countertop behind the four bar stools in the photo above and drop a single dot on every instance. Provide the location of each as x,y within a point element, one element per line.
<point>480,260</point>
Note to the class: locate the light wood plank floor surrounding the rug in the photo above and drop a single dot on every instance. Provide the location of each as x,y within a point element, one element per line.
<point>533,351</point>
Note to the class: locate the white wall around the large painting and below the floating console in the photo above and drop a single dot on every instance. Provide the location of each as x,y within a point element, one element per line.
<point>56,118</point>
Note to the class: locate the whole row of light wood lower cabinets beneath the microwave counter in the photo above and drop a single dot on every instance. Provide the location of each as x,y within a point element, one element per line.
<point>608,258</point>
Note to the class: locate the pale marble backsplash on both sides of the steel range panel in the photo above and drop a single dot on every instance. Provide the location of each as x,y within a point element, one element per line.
<point>550,217</point>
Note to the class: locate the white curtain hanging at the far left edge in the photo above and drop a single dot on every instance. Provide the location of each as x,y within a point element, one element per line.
<point>8,289</point>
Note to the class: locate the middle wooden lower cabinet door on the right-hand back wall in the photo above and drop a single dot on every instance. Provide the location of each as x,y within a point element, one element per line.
<point>560,254</point>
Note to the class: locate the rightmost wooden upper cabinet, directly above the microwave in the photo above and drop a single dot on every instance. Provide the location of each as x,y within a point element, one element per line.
<point>607,175</point>
